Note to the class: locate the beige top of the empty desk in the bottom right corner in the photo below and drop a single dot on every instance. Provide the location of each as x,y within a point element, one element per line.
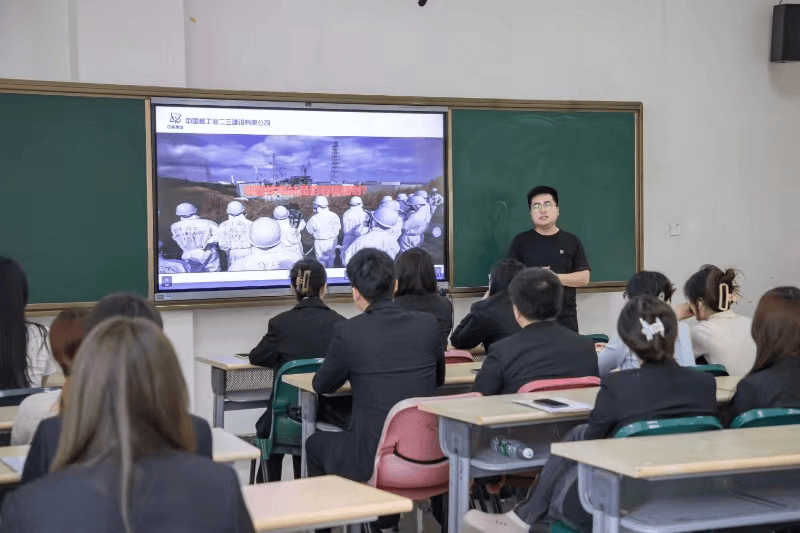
<point>729,450</point>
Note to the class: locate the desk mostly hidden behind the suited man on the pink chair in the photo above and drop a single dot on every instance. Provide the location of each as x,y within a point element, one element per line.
<point>458,377</point>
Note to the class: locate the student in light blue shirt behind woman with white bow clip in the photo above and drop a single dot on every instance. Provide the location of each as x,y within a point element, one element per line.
<point>616,355</point>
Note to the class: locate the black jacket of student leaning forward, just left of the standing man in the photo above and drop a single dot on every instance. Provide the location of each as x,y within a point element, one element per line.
<point>488,321</point>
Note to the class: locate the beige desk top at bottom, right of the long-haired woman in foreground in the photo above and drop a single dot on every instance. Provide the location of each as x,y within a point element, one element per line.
<point>304,503</point>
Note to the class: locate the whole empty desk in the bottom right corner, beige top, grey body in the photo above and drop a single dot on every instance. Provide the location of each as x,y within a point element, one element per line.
<point>749,477</point>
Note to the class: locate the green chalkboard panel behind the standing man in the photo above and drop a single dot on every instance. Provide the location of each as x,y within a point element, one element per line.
<point>498,156</point>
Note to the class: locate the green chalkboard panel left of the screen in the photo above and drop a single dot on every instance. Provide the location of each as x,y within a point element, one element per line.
<point>73,183</point>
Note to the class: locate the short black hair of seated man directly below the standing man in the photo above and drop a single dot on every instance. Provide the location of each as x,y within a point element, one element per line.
<point>536,293</point>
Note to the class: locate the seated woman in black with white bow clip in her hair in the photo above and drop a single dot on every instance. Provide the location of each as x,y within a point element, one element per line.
<point>659,389</point>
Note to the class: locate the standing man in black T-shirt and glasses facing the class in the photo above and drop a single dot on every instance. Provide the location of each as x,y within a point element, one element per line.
<point>549,247</point>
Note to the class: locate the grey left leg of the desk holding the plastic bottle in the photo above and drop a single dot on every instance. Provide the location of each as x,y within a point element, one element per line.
<point>454,438</point>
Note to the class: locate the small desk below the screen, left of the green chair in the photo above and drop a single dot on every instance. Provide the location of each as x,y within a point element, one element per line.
<point>236,384</point>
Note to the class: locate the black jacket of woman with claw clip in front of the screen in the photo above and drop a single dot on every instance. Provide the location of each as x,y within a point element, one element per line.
<point>302,332</point>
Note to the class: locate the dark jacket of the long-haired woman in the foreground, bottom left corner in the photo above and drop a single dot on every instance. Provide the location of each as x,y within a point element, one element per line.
<point>172,492</point>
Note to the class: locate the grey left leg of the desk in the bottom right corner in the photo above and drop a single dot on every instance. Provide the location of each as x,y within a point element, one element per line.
<point>600,495</point>
